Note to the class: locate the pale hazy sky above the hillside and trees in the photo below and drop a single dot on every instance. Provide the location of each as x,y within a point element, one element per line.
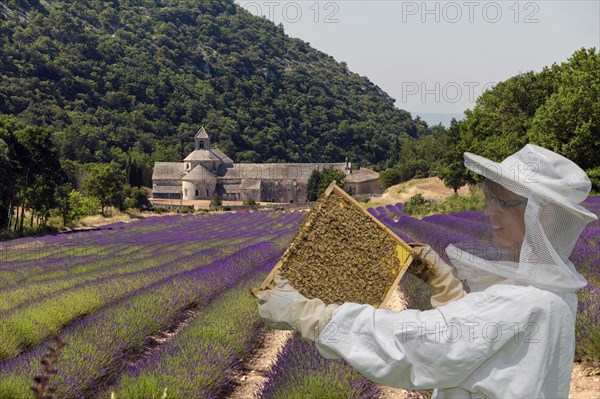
<point>438,56</point>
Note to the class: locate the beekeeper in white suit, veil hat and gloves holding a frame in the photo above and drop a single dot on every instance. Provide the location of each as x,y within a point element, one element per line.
<point>512,335</point>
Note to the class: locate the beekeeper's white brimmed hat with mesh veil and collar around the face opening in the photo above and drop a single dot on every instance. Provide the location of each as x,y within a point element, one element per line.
<point>554,187</point>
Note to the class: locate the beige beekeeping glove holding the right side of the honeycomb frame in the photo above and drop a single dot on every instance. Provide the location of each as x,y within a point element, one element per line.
<point>429,267</point>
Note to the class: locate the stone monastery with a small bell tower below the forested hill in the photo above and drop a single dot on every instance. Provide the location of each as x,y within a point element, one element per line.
<point>208,171</point>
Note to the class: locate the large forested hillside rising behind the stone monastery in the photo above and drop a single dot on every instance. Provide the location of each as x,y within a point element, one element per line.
<point>139,77</point>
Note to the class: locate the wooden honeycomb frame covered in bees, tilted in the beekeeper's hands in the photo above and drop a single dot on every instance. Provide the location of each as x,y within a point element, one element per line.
<point>339,250</point>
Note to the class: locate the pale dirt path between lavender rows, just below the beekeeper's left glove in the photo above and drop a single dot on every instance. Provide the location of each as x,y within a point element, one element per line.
<point>252,379</point>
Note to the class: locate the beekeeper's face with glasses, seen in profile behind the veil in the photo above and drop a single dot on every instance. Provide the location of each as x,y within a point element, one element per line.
<point>506,211</point>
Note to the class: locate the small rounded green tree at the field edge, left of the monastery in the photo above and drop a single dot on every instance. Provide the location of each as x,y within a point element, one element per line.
<point>105,182</point>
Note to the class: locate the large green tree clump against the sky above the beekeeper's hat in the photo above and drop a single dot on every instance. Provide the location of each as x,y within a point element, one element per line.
<point>556,108</point>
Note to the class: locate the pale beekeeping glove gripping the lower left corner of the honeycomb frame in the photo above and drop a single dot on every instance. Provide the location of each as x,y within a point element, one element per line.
<point>284,308</point>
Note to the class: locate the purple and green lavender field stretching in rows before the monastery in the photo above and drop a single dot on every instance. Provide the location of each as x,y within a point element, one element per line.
<point>115,294</point>
